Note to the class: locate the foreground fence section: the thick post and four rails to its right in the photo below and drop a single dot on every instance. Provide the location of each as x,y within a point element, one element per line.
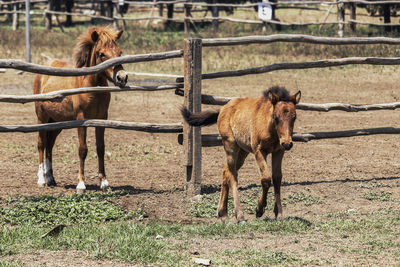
<point>193,140</point>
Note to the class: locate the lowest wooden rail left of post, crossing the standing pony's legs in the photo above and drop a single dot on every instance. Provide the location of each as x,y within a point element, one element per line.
<point>119,125</point>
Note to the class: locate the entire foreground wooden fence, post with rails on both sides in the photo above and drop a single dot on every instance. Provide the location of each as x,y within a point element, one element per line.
<point>191,137</point>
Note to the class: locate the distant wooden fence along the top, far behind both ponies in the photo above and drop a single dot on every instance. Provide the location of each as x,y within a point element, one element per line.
<point>189,7</point>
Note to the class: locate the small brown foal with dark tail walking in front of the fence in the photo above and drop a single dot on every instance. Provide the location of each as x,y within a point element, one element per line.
<point>260,126</point>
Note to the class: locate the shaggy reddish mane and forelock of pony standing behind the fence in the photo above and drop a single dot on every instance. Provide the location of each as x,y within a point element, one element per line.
<point>85,44</point>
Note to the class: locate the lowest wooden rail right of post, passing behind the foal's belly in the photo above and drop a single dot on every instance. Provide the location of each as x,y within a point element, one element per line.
<point>210,140</point>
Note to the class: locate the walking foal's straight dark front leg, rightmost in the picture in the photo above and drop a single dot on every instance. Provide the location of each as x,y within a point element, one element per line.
<point>277,179</point>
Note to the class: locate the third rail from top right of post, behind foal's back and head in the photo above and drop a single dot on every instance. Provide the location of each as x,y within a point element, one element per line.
<point>220,100</point>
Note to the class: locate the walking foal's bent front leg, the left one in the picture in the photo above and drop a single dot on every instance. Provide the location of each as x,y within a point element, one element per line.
<point>265,181</point>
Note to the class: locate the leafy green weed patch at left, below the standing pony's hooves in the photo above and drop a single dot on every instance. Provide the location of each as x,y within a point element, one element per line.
<point>50,210</point>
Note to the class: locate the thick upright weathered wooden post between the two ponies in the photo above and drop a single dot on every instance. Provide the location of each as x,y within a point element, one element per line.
<point>192,135</point>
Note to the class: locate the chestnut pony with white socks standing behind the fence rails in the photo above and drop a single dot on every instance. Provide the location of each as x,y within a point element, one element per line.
<point>94,46</point>
